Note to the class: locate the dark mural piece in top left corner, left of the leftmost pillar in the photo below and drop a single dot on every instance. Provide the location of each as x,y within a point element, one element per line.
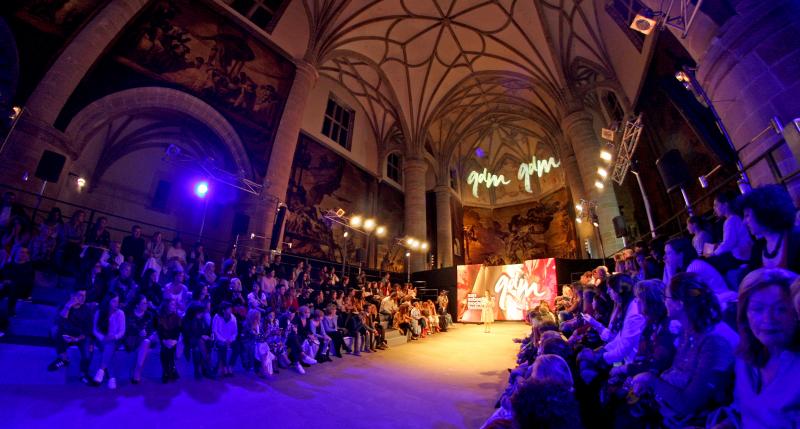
<point>60,17</point>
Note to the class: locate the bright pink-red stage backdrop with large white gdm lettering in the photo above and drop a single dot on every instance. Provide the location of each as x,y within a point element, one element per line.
<point>514,289</point>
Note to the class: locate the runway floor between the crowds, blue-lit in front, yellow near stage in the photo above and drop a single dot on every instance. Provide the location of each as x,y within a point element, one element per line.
<point>450,380</point>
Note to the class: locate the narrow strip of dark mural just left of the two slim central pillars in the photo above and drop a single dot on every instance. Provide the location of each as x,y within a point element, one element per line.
<point>391,211</point>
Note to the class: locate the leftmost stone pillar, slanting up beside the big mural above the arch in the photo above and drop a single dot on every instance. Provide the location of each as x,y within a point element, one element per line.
<point>53,91</point>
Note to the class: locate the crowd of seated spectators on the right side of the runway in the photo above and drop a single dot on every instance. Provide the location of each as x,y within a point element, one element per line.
<point>693,331</point>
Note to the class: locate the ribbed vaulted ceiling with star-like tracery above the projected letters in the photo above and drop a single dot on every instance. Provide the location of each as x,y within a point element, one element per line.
<point>447,74</point>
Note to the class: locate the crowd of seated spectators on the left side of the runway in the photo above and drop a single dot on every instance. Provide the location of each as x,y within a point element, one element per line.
<point>144,294</point>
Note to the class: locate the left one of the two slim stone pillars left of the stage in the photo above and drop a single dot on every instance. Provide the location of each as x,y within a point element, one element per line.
<point>416,219</point>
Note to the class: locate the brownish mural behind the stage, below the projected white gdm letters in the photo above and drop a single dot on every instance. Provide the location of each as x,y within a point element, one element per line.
<point>510,235</point>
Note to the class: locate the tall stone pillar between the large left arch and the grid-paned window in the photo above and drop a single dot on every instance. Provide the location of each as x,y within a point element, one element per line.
<point>280,161</point>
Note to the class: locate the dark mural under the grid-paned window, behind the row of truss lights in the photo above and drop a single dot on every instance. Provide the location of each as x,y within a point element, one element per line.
<point>322,180</point>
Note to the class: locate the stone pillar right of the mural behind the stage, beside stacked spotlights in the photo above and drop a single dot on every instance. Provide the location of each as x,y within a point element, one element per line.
<point>578,127</point>
